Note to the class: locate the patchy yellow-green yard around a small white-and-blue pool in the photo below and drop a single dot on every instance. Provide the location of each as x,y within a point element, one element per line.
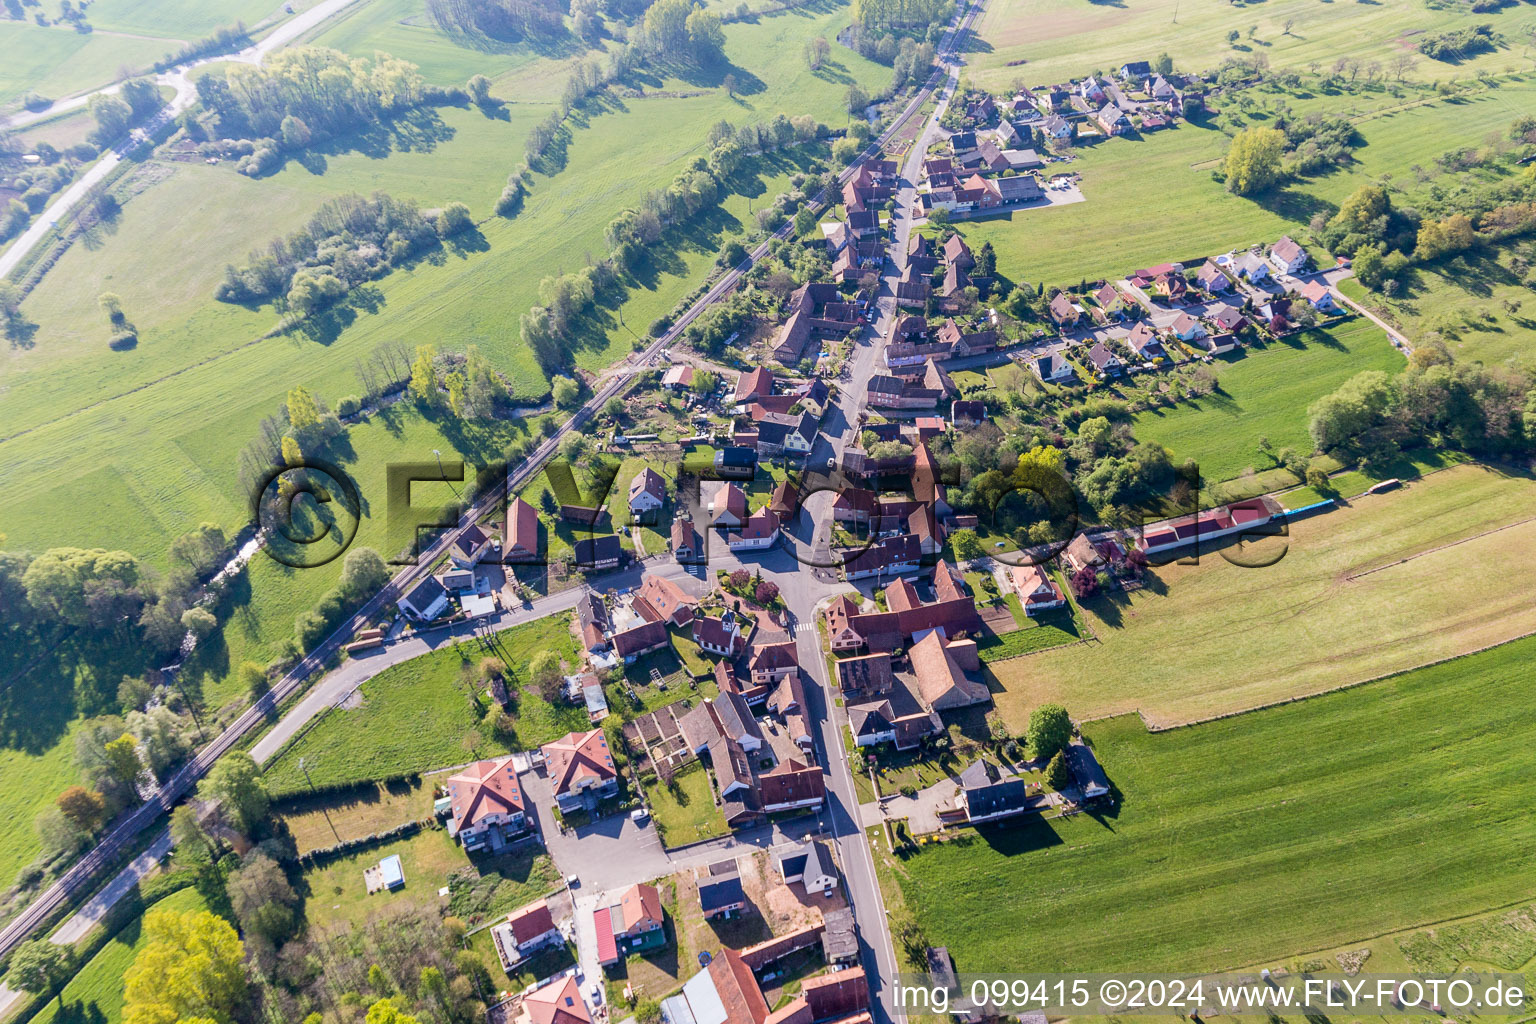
<point>480,890</point>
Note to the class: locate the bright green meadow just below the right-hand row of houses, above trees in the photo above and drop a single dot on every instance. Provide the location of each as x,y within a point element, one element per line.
<point>1266,394</point>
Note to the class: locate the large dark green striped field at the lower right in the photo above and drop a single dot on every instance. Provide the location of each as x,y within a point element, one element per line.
<point>1262,836</point>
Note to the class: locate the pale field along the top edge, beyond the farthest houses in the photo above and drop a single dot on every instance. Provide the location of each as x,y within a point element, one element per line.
<point>1053,41</point>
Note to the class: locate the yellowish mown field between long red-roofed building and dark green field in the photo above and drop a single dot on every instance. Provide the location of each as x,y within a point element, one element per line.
<point>1214,638</point>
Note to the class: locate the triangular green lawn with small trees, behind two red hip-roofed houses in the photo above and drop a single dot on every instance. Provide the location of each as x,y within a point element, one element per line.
<point>415,716</point>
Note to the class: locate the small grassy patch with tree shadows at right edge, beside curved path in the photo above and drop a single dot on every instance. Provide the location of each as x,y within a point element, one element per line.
<point>1483,314</point>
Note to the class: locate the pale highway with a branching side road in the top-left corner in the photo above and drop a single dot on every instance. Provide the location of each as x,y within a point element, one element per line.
<point>185,97</point>
